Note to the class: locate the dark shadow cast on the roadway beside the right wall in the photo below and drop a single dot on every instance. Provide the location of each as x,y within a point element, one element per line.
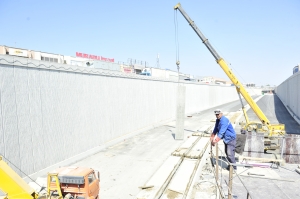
<point>284,117</point>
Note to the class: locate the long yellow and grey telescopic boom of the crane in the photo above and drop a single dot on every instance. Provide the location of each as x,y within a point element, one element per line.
<point>274,129</point>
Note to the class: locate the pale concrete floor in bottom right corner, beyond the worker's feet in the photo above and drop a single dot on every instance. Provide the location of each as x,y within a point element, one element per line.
<point>276,182</point>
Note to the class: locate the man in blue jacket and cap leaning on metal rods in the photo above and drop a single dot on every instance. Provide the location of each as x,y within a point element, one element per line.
<point>224,130</point>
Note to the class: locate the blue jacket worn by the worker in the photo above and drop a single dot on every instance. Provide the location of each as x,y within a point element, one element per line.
<point>224,129</point>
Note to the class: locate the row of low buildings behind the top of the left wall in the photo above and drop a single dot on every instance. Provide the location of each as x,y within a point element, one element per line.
<point>132,66</point>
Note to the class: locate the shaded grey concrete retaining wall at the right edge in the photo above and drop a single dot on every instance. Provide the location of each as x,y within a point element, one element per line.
<point>289,93</point>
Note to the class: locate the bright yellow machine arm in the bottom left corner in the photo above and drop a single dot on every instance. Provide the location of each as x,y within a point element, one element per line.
<point>13,185</point>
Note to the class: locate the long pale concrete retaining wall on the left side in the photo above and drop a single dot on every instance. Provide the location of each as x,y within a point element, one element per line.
<point>51,112</point>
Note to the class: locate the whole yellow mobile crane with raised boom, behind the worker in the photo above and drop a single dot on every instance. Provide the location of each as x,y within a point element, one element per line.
<point>264,124</point>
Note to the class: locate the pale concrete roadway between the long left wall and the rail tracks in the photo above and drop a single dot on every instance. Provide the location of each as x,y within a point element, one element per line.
<point>126,166</point>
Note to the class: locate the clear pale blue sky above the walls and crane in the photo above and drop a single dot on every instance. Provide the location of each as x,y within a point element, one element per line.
<point>259,39</point>
